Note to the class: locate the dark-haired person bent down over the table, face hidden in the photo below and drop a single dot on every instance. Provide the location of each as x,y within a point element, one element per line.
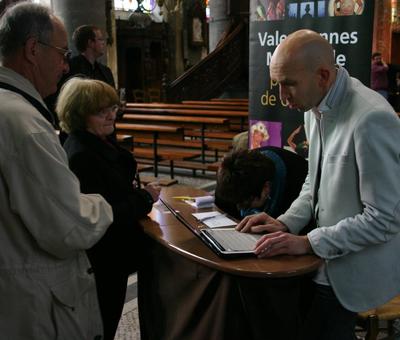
<point>266,179</point>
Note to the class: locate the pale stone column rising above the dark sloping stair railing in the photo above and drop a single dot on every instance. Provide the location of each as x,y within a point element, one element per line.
<point>219,21</point>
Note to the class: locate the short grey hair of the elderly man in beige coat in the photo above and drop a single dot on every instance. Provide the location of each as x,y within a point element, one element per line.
<point>21,22</point>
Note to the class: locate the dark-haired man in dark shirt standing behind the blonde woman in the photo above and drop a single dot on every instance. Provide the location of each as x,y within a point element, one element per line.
<point>89,41</point>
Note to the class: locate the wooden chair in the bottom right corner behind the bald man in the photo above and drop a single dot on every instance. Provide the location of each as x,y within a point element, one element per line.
<point>370,319</point>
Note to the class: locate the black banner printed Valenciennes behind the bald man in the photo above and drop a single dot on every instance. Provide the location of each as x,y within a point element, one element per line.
<point>346,24</point>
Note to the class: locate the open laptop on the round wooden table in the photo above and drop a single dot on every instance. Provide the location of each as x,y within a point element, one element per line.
<point>225,242</point>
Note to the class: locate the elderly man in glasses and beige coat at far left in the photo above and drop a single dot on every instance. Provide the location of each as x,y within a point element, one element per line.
<point>47,287</point>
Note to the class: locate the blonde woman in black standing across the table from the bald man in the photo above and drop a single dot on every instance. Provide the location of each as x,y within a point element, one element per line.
<point>87,110</point>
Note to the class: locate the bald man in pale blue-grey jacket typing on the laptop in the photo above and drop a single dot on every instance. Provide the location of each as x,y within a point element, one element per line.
<point>352,189</point>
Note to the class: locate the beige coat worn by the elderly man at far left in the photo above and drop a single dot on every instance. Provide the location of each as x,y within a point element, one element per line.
<point>47,290</point>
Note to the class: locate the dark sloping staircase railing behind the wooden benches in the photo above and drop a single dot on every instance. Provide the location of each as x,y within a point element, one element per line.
<point>210,76</point>
